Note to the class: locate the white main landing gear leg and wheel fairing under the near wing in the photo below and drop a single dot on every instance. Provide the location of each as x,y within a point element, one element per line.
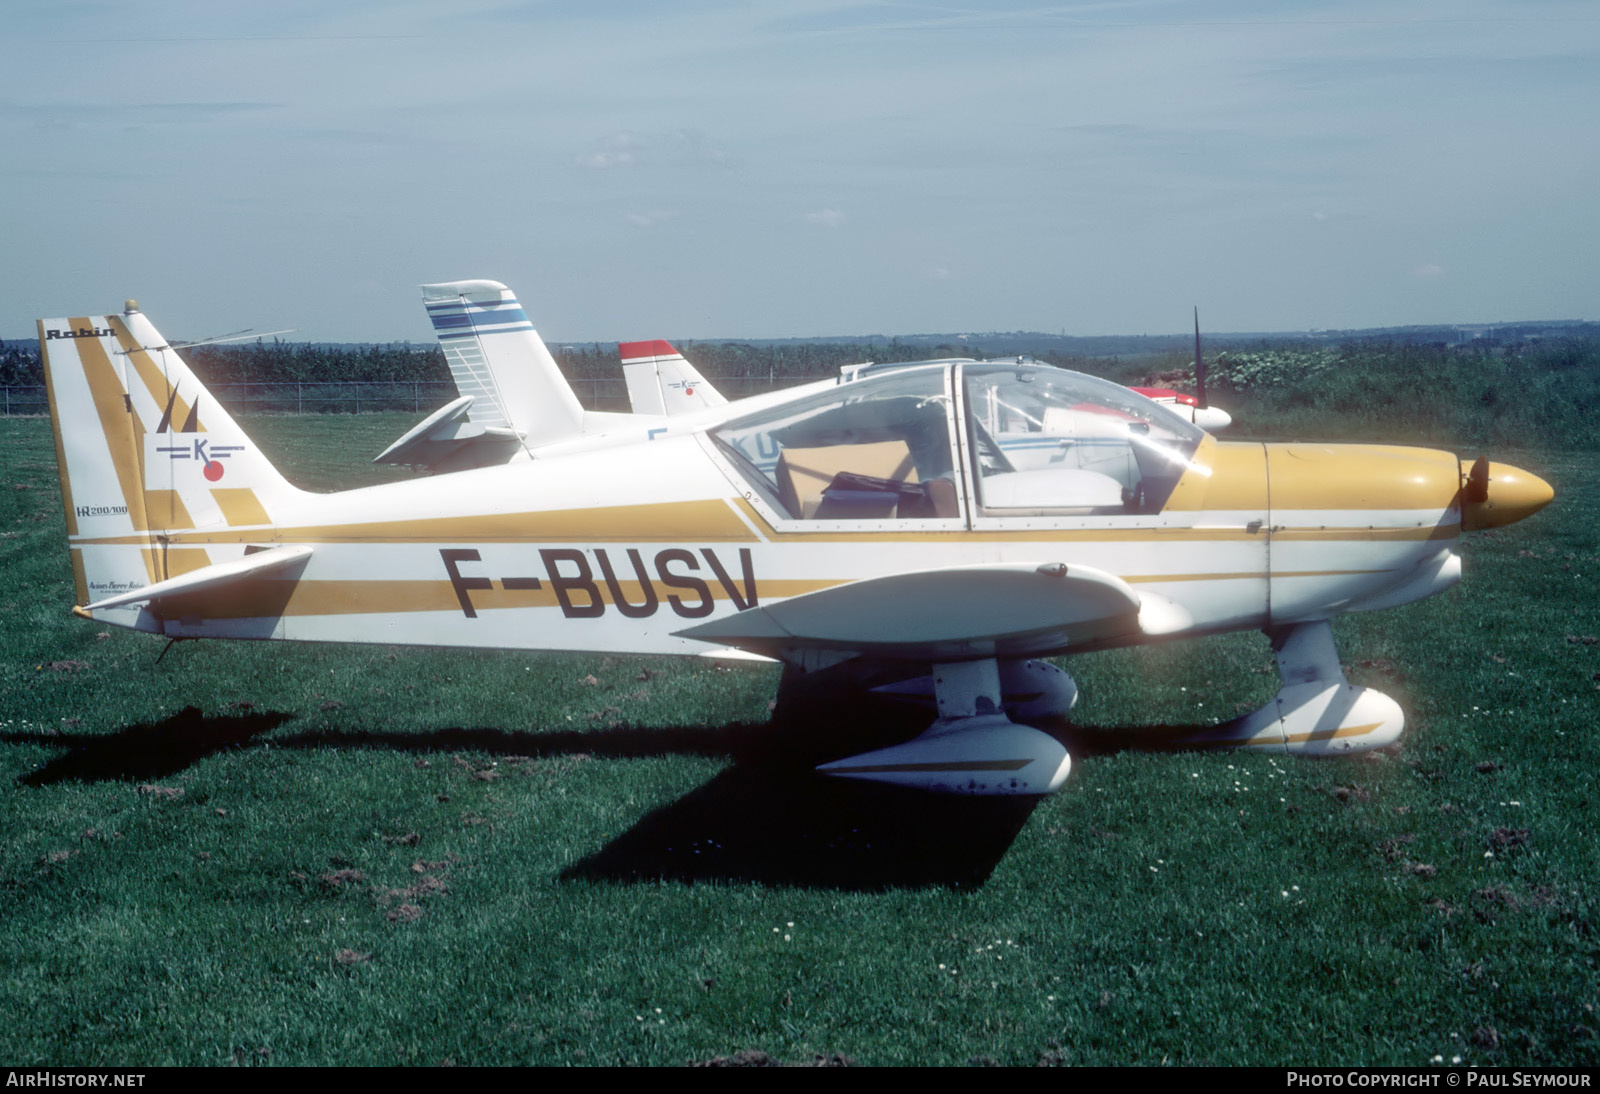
<point>974,748</point>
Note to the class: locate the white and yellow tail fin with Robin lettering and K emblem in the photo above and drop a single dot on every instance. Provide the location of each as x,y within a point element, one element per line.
<point>150,461</point>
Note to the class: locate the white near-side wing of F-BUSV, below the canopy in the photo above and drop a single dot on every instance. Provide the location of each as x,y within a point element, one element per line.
<point>1007,610</point>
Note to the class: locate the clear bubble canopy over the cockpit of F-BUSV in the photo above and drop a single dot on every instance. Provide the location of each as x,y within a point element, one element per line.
<point>1020,439</point>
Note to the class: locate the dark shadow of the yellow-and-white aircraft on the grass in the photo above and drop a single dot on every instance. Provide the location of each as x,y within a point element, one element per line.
<point>766,820</point>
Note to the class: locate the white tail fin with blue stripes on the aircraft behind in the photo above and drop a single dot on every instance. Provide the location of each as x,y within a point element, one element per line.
<point>497,357</point>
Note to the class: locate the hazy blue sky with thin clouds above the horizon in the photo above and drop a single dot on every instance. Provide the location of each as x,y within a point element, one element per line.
<point>798,169</point>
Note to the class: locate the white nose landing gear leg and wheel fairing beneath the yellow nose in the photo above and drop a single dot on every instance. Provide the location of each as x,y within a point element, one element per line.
<point>1318,713</point>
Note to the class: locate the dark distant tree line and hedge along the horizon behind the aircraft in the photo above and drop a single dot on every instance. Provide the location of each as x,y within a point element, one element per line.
<point>1537,393</point>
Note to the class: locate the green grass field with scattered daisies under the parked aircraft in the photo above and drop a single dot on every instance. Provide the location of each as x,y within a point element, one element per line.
<point>271,855</point>
